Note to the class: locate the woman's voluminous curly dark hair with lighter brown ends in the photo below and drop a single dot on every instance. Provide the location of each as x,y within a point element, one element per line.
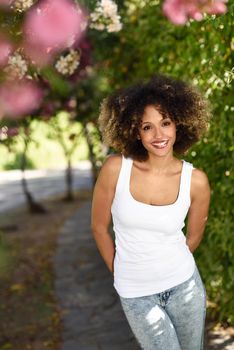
<point>121,113</point>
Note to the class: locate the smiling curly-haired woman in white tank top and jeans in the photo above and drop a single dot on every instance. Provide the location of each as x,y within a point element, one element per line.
<point>148,192</point>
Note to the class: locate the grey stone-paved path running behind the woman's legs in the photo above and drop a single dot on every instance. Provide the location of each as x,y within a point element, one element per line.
<point>91,311</point>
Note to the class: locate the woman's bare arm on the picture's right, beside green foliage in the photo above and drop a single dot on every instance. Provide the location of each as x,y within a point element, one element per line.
<point>199,208</point>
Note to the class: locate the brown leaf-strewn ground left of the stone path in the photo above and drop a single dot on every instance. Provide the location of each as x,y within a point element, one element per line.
<point>29,316</point>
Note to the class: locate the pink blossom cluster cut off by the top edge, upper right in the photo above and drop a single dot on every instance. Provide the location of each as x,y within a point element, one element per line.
<point>179,11</point>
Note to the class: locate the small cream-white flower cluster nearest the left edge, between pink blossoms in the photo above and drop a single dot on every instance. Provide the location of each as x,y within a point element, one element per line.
<point>17,66</point>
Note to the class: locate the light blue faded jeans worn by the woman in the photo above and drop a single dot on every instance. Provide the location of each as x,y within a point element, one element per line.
<point>171,320</point>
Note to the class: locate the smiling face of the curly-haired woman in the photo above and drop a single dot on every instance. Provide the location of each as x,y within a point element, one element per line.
<point>157,135</point>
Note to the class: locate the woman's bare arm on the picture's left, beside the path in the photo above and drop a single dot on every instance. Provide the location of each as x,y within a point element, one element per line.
<point>103,195</point>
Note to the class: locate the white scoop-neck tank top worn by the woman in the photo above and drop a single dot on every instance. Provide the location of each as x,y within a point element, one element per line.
<point>151,251</point>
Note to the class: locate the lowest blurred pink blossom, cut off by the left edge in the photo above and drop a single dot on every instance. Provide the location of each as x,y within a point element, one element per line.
<point>19,98</point>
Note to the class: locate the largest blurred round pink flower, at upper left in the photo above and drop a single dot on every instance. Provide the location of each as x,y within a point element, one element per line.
<point>51,26</point>
